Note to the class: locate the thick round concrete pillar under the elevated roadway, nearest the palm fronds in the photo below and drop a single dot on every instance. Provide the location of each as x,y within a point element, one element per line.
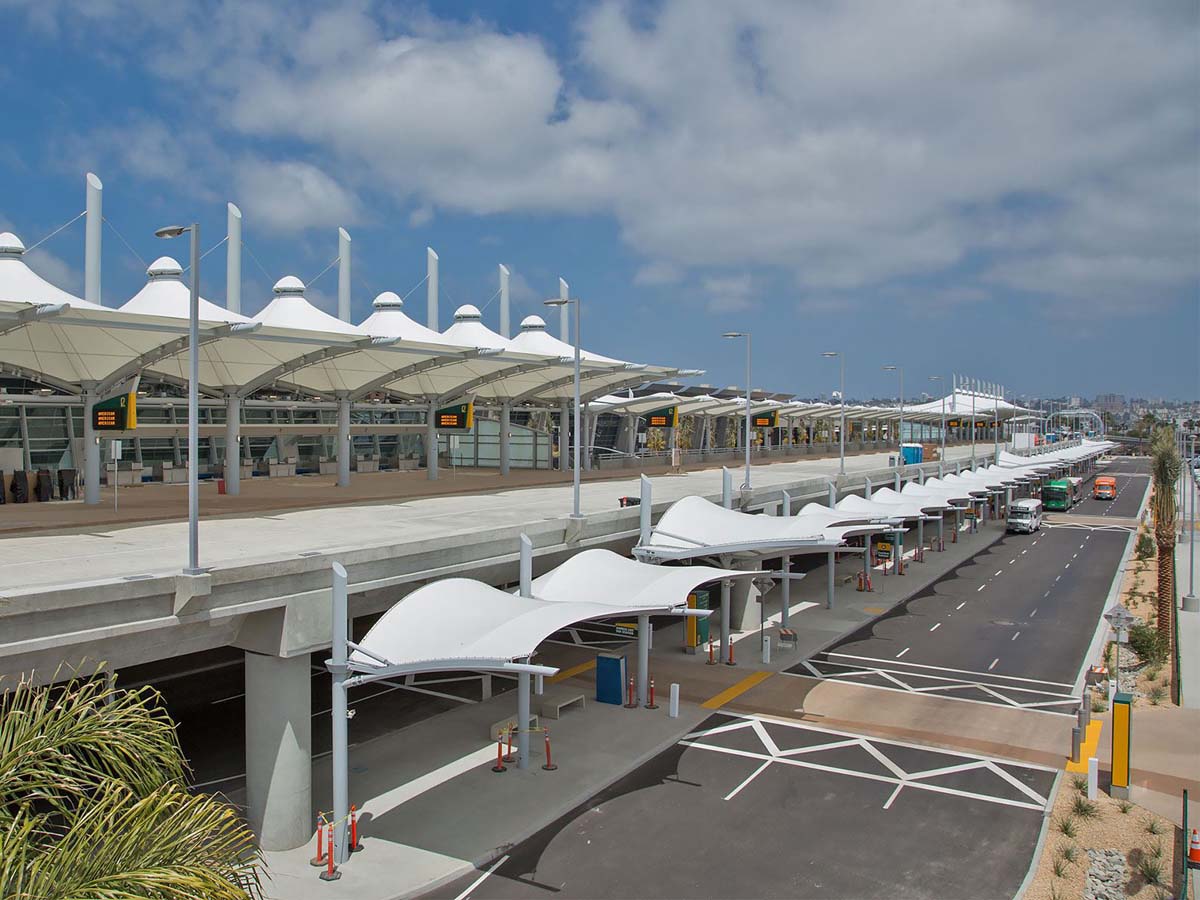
<point>279,751</point>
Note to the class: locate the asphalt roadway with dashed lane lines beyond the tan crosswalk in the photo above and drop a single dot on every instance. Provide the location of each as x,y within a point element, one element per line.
<point>1011,627</point>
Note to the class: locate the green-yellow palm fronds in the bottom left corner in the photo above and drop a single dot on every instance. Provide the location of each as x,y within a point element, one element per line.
<point>94,803</point>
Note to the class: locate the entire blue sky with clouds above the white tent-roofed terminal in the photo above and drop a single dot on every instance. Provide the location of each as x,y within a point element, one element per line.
<point>1009,190</point>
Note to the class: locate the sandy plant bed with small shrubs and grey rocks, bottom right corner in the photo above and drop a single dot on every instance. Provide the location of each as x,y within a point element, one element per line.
<point>1129,851</point>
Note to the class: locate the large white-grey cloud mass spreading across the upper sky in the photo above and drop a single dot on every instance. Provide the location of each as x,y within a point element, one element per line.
<point>851,143</point>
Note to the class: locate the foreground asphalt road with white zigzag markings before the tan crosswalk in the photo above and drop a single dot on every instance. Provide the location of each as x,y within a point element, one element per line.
<point>753,808</point>
